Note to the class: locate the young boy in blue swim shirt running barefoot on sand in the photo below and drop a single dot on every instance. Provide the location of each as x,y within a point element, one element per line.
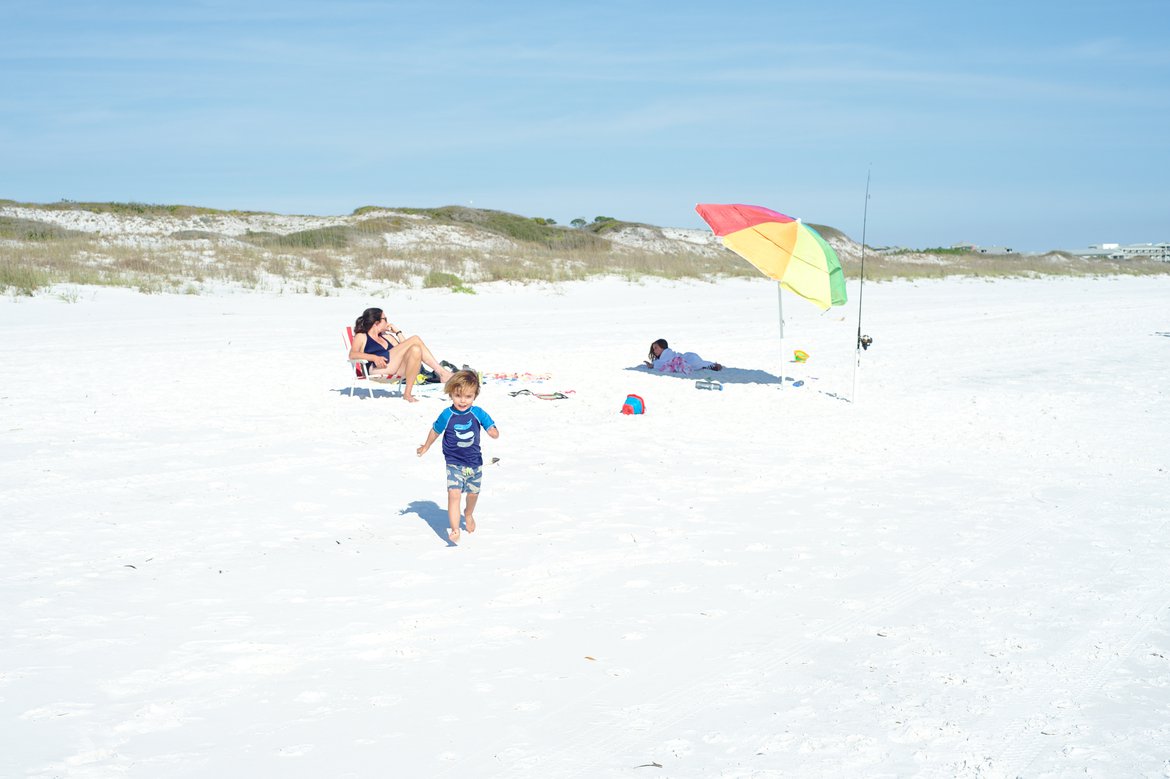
<point>460,430</point>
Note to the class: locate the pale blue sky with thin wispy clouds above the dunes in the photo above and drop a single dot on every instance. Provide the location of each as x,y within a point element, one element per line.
<point>1034,126</point>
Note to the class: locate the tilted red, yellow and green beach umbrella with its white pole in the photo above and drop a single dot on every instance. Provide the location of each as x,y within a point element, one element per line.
<point>782,249</point>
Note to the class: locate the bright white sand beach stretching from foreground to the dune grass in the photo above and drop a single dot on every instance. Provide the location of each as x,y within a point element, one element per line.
<point>218,563</point>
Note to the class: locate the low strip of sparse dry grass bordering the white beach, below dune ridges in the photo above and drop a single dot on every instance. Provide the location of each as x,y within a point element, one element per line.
<point>319,261</point>
